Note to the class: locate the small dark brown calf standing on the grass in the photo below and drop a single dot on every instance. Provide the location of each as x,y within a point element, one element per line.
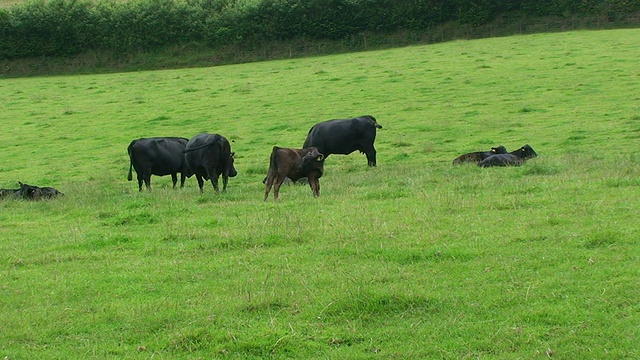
<point>294,164</point>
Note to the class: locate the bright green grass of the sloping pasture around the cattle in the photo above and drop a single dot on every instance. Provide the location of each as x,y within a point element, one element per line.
<point>413,259</point>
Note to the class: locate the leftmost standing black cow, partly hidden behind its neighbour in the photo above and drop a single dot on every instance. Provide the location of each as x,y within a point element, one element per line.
<point>158,156</point>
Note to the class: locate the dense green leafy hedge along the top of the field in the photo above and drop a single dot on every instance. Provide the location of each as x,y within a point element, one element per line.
<point>68,27</point>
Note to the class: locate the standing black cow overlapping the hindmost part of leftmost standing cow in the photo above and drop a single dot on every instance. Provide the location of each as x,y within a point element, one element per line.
<point>209,156</point>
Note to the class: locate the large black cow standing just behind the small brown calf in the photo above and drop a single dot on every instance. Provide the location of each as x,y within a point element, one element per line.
<point>344,136</point>
